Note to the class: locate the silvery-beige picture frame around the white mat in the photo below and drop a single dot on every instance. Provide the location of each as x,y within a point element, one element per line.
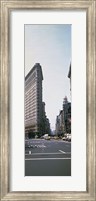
<point>6,6</point>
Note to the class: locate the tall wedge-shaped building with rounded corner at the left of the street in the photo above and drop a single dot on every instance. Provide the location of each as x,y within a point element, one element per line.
<point>33,100</point>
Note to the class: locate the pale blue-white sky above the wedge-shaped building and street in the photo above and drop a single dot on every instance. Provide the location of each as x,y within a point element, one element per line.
<point>50,45</point>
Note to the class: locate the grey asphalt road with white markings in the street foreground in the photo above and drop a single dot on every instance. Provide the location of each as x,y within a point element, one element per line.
<point>48,158</point>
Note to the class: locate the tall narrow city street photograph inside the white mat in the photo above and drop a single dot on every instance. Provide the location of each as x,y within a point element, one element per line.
<point>47,128</point>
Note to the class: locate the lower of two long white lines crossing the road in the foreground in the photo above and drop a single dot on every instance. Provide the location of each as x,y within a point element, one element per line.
<point>32,159</point>
